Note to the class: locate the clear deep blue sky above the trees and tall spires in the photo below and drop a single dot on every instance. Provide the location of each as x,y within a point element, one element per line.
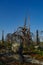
<point>13,13</point>
